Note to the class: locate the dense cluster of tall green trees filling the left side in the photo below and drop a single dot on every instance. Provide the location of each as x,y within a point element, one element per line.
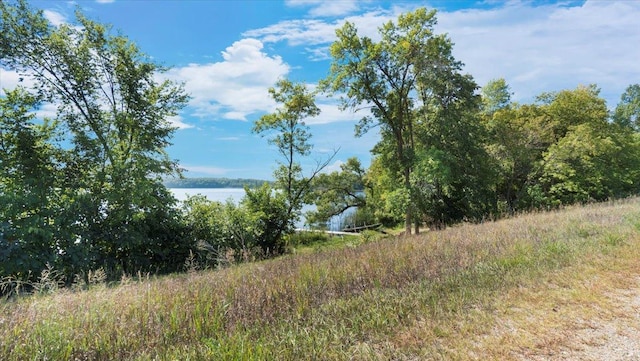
<point>84,190</point>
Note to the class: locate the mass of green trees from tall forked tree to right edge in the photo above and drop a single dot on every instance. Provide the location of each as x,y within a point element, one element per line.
<point>449,153</point>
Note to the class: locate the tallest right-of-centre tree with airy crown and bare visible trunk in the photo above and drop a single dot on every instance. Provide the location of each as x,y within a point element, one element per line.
<point>411,82</point>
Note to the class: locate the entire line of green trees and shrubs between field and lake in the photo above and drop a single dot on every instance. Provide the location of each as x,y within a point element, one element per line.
<point>83,190</point>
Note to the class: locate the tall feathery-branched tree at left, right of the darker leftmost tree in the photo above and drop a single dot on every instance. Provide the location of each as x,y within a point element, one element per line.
<point>114,113</point>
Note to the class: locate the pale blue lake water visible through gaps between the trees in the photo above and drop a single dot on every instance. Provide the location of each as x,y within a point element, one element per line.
<point>236,194</point>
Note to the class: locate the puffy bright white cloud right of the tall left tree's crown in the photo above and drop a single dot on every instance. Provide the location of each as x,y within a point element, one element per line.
<point>235,87</point>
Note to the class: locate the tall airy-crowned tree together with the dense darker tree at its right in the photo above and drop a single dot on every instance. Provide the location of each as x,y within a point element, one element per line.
<point>426,110</point>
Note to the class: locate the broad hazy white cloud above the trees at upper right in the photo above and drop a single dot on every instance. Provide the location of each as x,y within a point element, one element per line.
<point>549,47</point>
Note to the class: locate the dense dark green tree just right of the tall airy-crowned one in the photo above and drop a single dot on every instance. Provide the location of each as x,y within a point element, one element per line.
<point>454,178</point>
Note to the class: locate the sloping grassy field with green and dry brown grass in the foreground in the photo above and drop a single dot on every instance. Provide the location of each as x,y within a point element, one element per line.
<point>510,289</point>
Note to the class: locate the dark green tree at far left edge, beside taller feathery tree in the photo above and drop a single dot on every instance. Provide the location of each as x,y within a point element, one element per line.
<point>28,188</point>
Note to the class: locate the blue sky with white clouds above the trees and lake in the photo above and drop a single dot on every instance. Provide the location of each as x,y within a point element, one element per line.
<point>229,53</point>
